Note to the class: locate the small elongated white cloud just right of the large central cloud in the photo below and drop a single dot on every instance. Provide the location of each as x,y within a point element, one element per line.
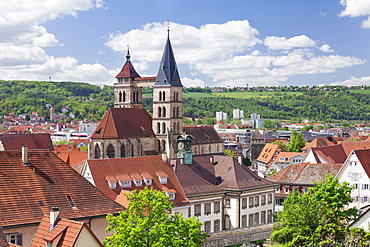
<point>282,43</point>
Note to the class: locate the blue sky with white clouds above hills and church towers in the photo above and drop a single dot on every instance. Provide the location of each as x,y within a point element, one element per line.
<point>215,42</point>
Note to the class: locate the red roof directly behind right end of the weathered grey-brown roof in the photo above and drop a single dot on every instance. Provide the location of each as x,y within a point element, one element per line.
<point>331,154</point>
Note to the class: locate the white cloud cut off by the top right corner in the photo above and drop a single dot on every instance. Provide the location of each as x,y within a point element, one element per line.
<point>355,8</point>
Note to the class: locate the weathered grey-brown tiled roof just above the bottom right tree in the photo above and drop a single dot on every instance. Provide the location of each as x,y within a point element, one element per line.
<point>304,173</point>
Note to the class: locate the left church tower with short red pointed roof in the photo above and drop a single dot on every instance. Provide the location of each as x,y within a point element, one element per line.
<point>127,93</point>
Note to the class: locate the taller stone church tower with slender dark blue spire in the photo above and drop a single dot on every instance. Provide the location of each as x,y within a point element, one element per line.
<point>167,103</point>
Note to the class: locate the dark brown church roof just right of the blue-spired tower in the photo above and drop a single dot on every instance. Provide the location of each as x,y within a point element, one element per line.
<point>203,134</point>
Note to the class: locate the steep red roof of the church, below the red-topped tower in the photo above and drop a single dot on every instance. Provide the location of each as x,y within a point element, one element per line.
<point>122,123</point>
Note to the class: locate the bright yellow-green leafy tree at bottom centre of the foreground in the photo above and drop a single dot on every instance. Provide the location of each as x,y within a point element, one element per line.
<point>147,221</point>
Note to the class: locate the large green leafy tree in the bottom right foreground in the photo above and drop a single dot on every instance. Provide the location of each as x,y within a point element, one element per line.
<point>316,218</point>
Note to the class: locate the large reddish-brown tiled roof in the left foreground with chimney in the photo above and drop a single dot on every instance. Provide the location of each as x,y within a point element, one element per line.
<point>27,192</point>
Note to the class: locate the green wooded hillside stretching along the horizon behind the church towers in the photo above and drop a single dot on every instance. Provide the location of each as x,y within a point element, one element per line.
<point>85,101</point>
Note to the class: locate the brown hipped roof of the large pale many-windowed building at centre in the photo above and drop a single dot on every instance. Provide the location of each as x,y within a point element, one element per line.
<point>226,173</point>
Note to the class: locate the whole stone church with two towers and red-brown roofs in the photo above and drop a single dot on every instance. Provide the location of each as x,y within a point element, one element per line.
<point>127,130</point>
